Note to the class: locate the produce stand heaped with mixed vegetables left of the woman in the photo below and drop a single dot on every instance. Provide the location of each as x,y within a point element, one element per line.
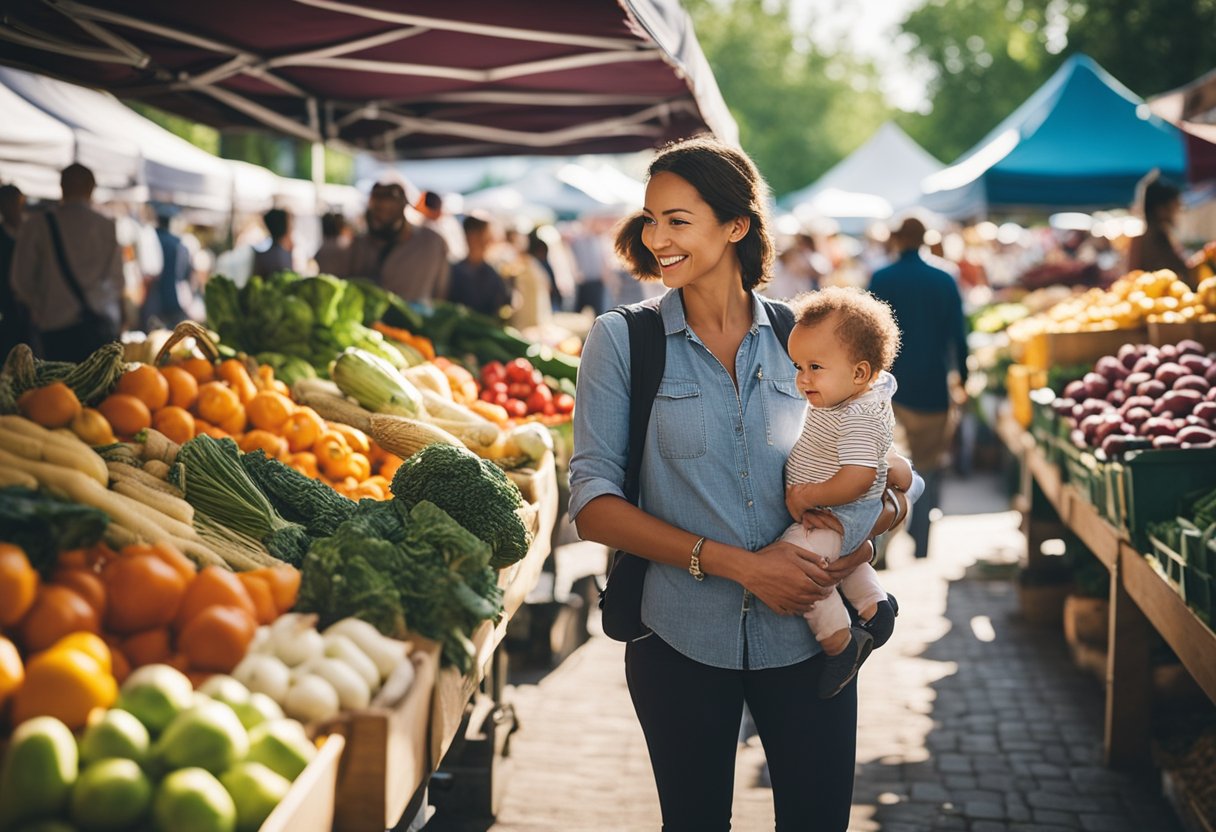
<point>290,592</point>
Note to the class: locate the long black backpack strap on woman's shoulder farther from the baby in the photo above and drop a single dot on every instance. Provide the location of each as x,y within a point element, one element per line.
<point>648,359</point>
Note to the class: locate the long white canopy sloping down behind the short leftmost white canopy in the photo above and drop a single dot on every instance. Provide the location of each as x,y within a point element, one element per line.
<point>119,144</point>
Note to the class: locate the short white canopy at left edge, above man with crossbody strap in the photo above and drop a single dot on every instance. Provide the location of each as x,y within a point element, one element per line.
<point>35,148</point>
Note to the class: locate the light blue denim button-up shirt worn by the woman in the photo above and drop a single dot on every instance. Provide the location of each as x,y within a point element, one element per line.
<point>713,465</point>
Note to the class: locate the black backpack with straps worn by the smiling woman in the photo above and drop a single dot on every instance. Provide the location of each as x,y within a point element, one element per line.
<point>621,600</point>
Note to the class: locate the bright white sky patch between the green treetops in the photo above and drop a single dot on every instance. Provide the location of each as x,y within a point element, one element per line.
<point>870,27</point>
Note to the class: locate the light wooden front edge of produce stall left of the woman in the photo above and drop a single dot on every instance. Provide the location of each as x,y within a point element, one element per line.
<point>397,744</point>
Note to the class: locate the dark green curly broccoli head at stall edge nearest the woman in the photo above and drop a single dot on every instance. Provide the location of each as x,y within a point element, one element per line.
<point>474,492</point>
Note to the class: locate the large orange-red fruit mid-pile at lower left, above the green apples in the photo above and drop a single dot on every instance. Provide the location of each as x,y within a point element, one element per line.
<point>145,592</point>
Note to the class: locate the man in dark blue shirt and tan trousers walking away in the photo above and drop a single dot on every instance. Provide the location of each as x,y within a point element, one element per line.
<point>930,311</point>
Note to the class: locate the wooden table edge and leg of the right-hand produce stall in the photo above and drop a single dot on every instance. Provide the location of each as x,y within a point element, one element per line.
<point>1141,601</point>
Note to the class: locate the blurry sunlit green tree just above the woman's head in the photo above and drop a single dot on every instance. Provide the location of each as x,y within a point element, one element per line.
<point>800,111</point>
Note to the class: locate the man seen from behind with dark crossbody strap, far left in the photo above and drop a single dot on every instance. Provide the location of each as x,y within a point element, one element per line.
<point>67,269</point>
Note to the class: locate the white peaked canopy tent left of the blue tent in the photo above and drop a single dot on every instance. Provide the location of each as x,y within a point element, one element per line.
<point>879,179</point>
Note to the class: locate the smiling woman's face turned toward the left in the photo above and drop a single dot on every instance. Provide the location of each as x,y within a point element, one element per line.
<point>685,237</point>
